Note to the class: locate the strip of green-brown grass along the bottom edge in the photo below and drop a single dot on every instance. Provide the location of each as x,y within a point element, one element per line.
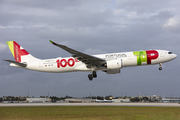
<point>89,113</point>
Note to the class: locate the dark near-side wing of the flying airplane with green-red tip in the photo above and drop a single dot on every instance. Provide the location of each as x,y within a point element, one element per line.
<point>89,60</point>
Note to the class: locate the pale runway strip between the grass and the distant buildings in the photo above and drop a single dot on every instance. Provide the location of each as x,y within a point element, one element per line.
<point>89,104</point>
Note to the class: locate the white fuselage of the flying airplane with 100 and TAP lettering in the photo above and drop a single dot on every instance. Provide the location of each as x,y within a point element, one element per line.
<point>128,59</point>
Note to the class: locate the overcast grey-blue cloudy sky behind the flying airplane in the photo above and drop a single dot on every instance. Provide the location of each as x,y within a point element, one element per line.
<point>92,27</point>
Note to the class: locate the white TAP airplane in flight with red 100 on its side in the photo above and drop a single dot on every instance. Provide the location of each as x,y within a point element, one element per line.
<point>111,63</point>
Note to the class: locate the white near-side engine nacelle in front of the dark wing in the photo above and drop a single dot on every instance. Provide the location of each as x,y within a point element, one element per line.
<point>114,64</point>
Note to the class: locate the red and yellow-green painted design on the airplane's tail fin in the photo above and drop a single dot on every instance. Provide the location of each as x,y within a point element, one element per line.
<point>16,50</point>
